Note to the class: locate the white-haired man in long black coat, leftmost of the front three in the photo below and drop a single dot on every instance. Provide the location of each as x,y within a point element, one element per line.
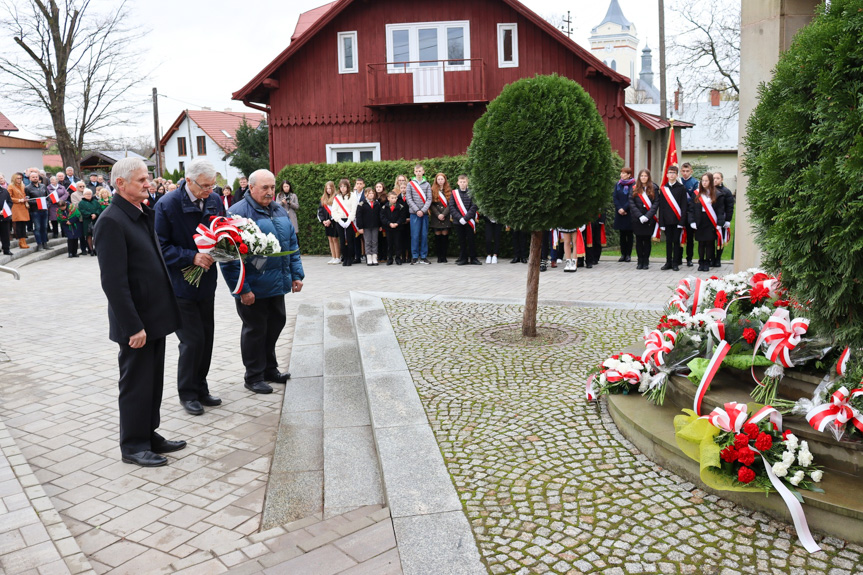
<point>141,311</point>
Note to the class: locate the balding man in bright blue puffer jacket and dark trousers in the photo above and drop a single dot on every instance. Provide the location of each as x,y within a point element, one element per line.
<point>261,301</point>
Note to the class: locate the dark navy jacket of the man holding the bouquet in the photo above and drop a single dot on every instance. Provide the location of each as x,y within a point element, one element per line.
<point>177,218</point>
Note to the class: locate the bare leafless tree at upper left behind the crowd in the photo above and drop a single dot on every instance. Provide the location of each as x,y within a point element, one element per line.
<point>73,63</point>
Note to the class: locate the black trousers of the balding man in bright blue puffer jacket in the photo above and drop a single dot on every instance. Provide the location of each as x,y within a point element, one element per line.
<point>262,324</point>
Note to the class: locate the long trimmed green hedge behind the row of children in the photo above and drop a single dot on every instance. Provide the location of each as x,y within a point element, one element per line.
<point>308,181</point>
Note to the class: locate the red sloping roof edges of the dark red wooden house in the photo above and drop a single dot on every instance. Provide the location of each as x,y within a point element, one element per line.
<point>313,20</point>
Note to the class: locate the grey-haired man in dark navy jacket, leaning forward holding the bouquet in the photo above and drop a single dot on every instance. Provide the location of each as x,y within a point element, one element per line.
<point>178,214</point>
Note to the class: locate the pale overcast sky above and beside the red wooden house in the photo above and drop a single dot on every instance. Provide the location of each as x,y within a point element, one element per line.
<point>199,55</point>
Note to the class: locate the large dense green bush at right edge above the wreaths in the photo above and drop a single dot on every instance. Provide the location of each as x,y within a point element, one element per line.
<point>805,168</point>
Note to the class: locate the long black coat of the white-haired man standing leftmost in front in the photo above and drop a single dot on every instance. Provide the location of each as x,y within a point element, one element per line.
<point>134,275</point>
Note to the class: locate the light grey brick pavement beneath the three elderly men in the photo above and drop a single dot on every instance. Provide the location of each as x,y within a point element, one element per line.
<point>59,397</point>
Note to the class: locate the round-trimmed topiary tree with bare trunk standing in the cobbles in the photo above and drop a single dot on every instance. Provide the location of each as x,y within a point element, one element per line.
<point>540,159</point>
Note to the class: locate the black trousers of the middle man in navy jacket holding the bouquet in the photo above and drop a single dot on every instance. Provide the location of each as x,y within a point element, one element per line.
<point>196,347</point>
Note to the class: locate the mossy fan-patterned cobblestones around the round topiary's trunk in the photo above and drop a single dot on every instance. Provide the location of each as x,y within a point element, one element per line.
<point>547,481</point>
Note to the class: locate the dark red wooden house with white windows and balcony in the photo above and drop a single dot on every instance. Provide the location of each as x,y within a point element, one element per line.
<point>388,79</point>
